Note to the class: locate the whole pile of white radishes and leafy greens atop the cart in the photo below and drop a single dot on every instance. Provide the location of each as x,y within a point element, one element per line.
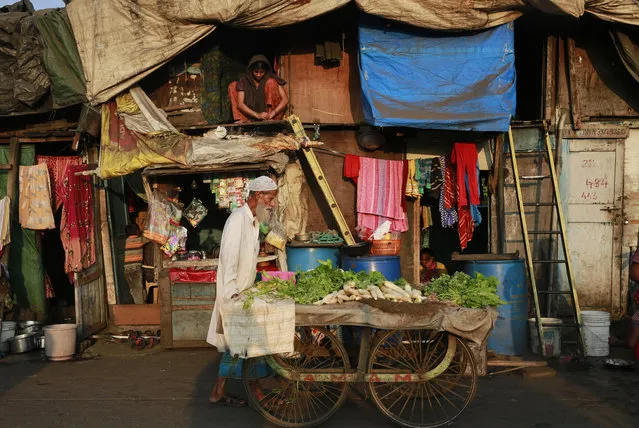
<point>325,285</point>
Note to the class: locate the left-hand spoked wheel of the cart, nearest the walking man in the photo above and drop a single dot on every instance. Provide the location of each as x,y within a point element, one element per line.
<point>302,403</point>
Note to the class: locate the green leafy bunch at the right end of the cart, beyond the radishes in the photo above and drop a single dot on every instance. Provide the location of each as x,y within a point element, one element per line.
<point>464,290</point>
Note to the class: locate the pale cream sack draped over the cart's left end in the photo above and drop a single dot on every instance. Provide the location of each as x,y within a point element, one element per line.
<point>265,328</point>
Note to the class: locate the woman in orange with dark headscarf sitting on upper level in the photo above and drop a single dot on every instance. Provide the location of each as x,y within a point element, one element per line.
<point>258,95</point>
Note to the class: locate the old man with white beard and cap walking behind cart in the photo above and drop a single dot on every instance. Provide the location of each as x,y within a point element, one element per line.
<point>237,270</point>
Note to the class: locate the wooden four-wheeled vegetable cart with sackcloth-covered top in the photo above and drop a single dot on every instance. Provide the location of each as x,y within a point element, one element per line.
<point>419,367</point>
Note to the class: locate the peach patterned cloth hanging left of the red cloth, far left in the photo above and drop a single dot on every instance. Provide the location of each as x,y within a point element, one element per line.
<point>35,198</point>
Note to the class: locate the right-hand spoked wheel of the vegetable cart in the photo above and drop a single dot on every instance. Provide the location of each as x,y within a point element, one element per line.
<point>430,403</point>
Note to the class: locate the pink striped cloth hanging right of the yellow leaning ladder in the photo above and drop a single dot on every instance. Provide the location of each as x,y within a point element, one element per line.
<point>379,194</point>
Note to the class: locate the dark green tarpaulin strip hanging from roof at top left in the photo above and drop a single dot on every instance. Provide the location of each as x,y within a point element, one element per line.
<point>61,58</point>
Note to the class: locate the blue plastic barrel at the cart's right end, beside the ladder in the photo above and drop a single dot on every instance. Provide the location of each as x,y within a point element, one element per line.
<point>509,337</point>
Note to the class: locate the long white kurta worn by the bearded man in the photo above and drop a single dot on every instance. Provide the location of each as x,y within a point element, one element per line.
<point>237,266</point>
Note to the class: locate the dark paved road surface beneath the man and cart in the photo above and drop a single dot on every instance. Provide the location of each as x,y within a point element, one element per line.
<point>123,388</point>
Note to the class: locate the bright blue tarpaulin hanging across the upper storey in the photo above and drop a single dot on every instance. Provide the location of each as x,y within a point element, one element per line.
<point>434,80</point>
